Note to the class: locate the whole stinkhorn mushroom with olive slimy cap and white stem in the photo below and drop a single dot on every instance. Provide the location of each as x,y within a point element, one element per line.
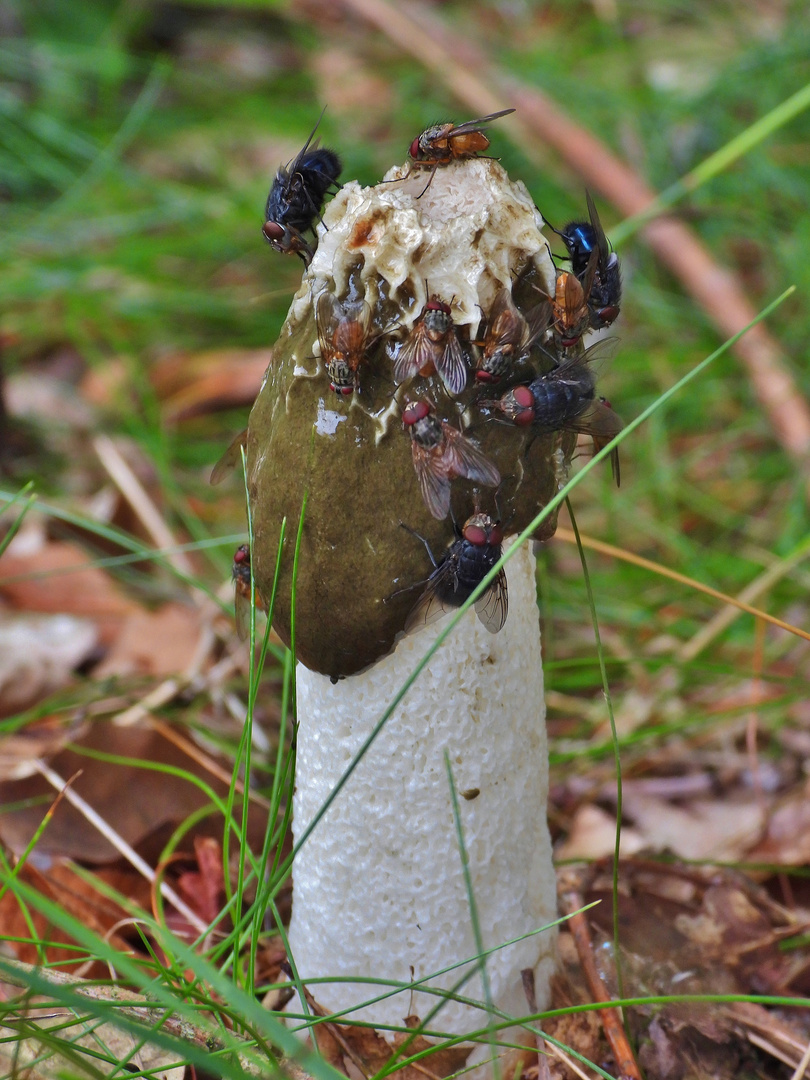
<point>440,280</point>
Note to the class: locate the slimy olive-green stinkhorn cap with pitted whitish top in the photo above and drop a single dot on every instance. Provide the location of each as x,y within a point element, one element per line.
<point>360,573</point>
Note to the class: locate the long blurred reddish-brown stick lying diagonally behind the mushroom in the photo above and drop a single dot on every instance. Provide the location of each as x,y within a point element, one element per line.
<point>485,89</point>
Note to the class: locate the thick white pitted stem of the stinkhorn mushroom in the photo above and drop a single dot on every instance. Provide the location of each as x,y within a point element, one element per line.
<point>379,887</point>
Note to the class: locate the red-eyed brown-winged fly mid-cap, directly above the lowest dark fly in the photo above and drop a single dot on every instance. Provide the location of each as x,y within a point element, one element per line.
<point>441,454</point>
